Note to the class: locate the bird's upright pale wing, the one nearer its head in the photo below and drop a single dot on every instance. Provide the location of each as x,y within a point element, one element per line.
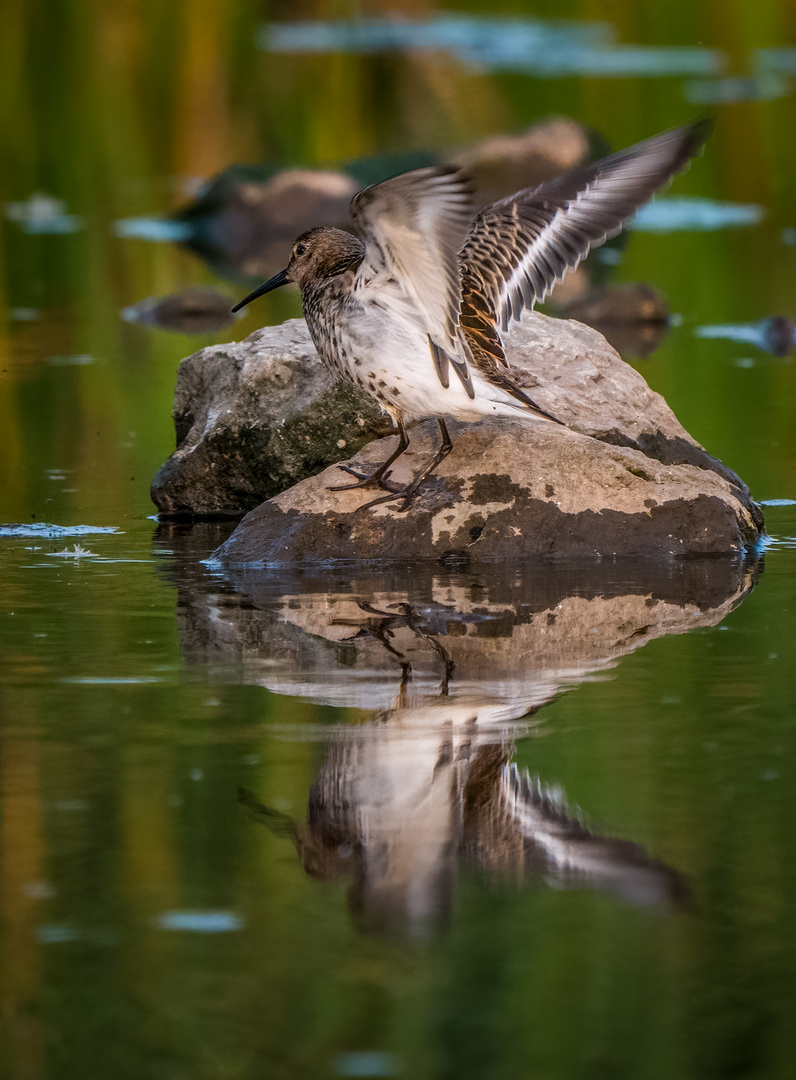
<point>414,227</point>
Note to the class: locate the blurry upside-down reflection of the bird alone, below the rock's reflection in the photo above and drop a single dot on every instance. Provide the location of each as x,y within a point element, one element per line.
<point>401,848</point>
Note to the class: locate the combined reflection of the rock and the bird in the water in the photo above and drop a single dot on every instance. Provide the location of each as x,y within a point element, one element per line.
<point>454,668</point>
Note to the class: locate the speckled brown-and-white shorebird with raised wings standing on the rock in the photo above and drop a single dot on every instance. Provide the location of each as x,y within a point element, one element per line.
<point>413,309</point>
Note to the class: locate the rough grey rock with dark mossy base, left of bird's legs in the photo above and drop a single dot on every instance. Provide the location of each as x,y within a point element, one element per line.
<point>254,417</point>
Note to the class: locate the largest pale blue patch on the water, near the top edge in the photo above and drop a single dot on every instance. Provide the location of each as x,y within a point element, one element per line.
<point>544,49</point>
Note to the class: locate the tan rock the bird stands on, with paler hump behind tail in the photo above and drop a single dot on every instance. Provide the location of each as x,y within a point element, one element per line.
<point>623,479</point>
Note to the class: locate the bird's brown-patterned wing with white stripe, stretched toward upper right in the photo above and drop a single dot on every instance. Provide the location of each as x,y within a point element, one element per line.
<point>519,248</point>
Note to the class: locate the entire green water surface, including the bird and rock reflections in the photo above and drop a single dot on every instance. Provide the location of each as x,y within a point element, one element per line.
<point>382,900</point>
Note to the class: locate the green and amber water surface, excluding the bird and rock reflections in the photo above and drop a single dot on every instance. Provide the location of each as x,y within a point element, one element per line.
<point>120,759</point>
